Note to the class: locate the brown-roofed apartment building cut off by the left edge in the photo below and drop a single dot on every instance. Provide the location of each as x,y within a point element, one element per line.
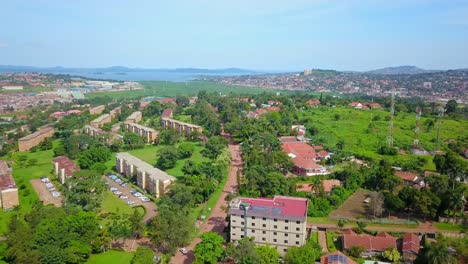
<point>8,190</point>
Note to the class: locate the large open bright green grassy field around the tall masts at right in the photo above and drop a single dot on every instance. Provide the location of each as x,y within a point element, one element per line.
<point>352,127</point>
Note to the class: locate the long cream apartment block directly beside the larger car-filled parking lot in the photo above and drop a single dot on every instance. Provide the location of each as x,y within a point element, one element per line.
<point>152,179</point>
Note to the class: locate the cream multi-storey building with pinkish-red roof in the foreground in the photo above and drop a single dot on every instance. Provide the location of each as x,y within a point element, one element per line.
<point>280,221</point>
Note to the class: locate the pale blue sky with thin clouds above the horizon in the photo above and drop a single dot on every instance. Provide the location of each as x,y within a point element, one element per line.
<point>254,34</point>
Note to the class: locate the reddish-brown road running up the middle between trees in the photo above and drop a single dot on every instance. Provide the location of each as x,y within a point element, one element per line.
<point>216,221</point>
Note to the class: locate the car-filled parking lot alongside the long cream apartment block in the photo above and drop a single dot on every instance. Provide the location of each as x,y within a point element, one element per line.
<point>130,195</point>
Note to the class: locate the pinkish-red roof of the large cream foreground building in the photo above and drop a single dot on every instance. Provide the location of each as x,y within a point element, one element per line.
<point>289,206</point>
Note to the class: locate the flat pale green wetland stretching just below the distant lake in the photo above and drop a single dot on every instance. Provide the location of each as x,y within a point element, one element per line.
<point>191,88</point>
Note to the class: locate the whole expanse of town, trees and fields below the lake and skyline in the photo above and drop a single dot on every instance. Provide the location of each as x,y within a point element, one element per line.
<point>313,167</point>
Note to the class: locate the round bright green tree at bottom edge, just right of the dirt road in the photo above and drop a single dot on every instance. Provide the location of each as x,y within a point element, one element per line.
<point>210,249</point>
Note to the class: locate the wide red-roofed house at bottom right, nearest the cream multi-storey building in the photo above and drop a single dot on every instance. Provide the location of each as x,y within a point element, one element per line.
<point>373,245</point>
